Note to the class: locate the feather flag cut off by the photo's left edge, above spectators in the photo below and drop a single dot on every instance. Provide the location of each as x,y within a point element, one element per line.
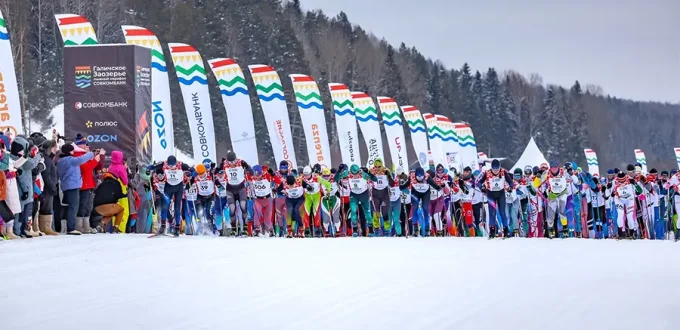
<point>10,104</point>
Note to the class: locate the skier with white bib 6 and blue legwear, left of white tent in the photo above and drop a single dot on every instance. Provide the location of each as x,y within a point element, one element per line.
<point>495,183</point>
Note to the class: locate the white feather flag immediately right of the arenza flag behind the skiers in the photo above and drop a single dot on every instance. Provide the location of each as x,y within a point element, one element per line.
<point>346,123</point>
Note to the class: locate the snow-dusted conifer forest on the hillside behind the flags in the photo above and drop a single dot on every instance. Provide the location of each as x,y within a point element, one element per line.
<point>503,108</point>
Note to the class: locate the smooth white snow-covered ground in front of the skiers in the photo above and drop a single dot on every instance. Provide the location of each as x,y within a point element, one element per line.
<point>131,282</point>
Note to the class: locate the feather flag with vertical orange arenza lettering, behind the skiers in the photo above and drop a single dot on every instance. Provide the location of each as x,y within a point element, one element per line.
<point>308,99</point>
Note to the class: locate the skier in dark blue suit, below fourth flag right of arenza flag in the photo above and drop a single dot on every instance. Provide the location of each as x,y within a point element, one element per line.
<point>421,185</point>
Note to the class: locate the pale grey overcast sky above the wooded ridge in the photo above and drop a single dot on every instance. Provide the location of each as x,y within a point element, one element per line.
<point>630,48</point>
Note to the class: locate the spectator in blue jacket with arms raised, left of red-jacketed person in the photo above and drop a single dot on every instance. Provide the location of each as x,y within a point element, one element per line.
<point>68,169</point>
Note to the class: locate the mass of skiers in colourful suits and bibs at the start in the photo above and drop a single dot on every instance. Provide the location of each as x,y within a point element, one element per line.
<point>234,198</point>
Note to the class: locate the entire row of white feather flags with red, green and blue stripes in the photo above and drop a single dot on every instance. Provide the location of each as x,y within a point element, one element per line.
<point>434,138</point>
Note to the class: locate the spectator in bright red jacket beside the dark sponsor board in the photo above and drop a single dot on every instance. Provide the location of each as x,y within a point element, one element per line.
<point>87,171</point>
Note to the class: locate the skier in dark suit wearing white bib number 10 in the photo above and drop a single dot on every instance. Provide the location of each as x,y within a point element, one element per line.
<point>236,188</point>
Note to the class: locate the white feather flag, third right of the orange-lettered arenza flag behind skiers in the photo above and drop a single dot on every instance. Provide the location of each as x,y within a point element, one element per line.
<point>394,129</point>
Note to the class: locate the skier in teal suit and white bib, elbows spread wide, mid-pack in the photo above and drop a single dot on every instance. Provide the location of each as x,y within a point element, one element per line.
<point>358,181</point>
